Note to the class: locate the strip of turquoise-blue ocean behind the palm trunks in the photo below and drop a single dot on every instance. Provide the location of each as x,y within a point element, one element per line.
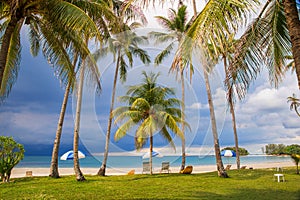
<point>136,161</point>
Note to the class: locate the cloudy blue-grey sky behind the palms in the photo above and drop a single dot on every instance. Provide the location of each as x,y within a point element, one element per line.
<point>31,111</point>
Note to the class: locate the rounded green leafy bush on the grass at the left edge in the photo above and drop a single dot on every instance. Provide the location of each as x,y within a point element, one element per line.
<point>10,155</point>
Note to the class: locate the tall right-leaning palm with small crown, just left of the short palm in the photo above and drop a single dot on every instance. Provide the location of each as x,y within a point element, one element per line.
<point>124,45</point>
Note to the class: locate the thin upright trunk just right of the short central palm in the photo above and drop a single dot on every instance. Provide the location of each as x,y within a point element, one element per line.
<point>183,120</point>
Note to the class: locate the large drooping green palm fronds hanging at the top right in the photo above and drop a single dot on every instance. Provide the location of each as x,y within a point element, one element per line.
<point>265,43</point>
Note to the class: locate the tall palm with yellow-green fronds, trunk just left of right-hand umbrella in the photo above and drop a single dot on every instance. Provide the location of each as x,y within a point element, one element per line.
<point>217,19</point>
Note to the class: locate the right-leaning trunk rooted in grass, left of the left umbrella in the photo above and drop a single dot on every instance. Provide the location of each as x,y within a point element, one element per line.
<point>54,160</point>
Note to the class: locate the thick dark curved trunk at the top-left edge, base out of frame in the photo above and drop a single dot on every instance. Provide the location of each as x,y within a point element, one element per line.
<point>5,45</point>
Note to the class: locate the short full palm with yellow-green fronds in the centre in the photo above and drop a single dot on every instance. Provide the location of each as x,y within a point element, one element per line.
<point>151,110</point>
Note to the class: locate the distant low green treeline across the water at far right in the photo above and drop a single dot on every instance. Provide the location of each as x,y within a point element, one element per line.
<point>281,149</point>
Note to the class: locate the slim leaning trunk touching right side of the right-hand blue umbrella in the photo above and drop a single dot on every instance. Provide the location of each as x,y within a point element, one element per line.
<point>230,101</point>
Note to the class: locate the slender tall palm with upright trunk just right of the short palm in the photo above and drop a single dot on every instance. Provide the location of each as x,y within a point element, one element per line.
<point>177,25</point>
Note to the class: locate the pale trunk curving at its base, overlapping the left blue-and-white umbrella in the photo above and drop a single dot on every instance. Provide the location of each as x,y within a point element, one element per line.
<point>78,173</point>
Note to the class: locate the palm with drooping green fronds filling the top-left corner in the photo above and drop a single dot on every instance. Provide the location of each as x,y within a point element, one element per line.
<point>51,23</point>
